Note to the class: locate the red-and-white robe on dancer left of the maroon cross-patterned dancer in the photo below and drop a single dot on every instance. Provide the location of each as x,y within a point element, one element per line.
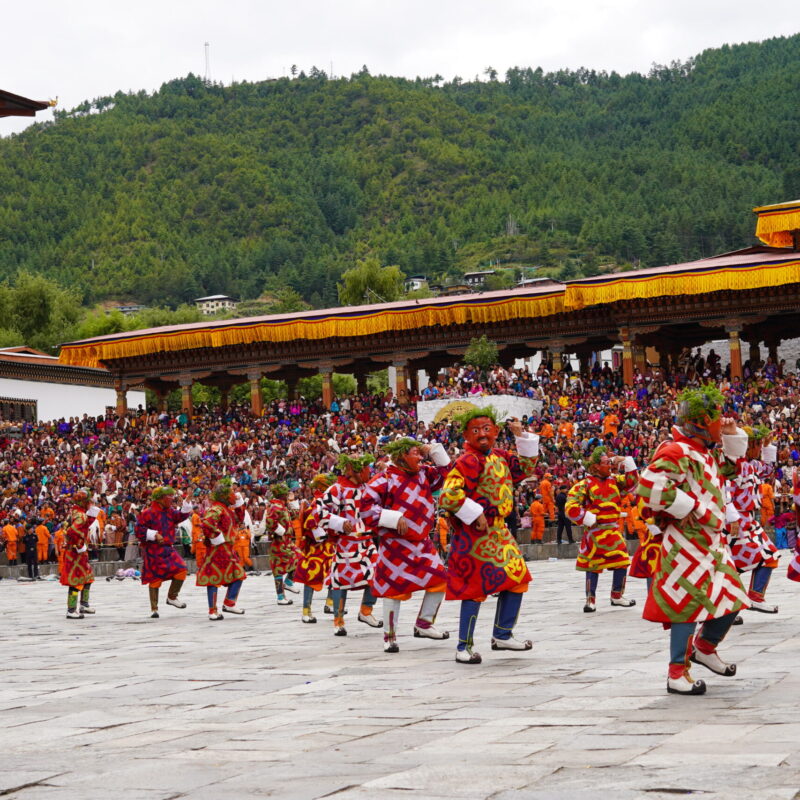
<point>354,559</point>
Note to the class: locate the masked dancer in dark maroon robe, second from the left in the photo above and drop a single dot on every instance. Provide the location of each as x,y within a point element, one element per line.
<point>156,529</point>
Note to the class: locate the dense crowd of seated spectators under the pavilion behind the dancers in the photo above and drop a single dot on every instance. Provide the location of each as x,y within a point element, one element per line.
<point>120,460</point>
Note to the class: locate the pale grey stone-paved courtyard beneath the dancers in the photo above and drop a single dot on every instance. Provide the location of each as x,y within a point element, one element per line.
<point>263,706</point>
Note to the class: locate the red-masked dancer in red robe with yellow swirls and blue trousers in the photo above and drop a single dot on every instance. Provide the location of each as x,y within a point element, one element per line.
<point>484,558</point>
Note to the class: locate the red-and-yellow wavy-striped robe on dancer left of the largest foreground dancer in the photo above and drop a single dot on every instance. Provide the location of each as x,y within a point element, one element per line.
<point>602,545</point>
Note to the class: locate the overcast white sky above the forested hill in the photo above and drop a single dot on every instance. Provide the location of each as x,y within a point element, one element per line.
<point>84,49</point>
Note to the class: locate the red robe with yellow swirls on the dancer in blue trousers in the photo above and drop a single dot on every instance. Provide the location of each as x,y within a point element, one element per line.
<point>484,562</point>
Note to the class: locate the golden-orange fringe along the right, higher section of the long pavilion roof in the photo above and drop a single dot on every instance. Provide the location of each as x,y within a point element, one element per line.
<point>686,282</point>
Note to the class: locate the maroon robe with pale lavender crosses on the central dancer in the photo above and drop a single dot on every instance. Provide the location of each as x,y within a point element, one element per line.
<point>408,563</point>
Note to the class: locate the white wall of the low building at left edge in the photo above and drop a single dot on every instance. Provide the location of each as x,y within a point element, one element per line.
<point>56,400</point>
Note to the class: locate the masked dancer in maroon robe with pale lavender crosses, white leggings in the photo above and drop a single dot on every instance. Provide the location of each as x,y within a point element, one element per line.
<point>399,504</point>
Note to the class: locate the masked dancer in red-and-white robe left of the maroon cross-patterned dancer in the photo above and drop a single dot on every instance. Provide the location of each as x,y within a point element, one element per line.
<point>338,513</point>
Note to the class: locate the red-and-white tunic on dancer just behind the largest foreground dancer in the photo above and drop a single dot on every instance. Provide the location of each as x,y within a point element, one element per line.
<point>752,546</point>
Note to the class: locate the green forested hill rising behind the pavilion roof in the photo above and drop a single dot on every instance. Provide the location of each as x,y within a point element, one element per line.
<point>202,189</point>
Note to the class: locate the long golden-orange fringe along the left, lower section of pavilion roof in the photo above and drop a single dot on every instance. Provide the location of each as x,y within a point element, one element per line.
<point>337,323</point>
